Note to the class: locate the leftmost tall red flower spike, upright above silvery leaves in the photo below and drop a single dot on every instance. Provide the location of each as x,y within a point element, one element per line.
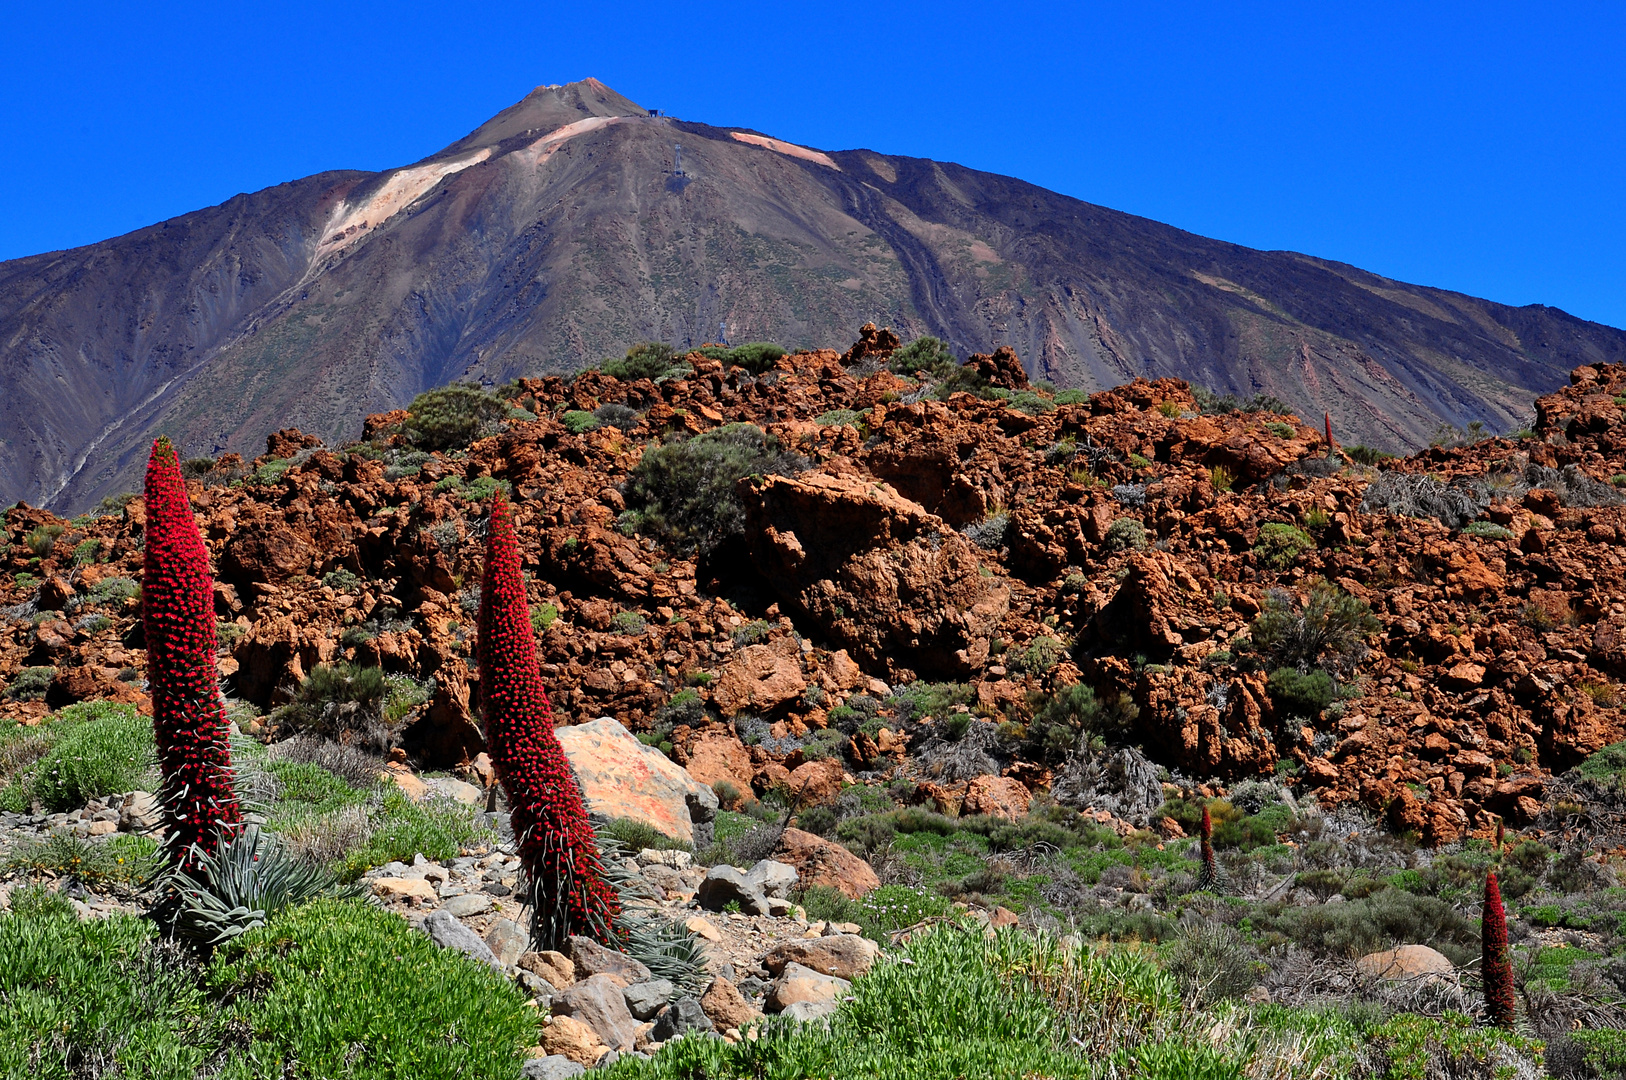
<point>189,715</point>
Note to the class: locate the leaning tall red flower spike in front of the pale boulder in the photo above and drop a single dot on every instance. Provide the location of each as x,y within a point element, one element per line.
<point>557,845</point>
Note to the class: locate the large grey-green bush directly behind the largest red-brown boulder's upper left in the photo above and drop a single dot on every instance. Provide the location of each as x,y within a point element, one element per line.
<point>685,490</point>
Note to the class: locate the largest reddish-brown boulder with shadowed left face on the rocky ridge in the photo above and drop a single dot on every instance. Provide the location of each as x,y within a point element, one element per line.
<point>876,572</point>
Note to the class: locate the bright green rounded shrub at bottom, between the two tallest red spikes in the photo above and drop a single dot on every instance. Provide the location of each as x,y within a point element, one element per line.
<point>344,990</point>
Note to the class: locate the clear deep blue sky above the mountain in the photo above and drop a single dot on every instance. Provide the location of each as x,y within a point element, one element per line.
<point>1479,147</point>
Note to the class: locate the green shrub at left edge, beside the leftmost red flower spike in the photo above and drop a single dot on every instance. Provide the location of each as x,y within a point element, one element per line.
<point>98,749</point>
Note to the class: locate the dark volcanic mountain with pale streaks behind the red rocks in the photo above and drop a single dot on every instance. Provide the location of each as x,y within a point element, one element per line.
<point>576,224</point>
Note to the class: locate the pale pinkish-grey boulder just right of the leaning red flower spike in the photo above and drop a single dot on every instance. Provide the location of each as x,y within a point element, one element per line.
<point>624,778</point>
